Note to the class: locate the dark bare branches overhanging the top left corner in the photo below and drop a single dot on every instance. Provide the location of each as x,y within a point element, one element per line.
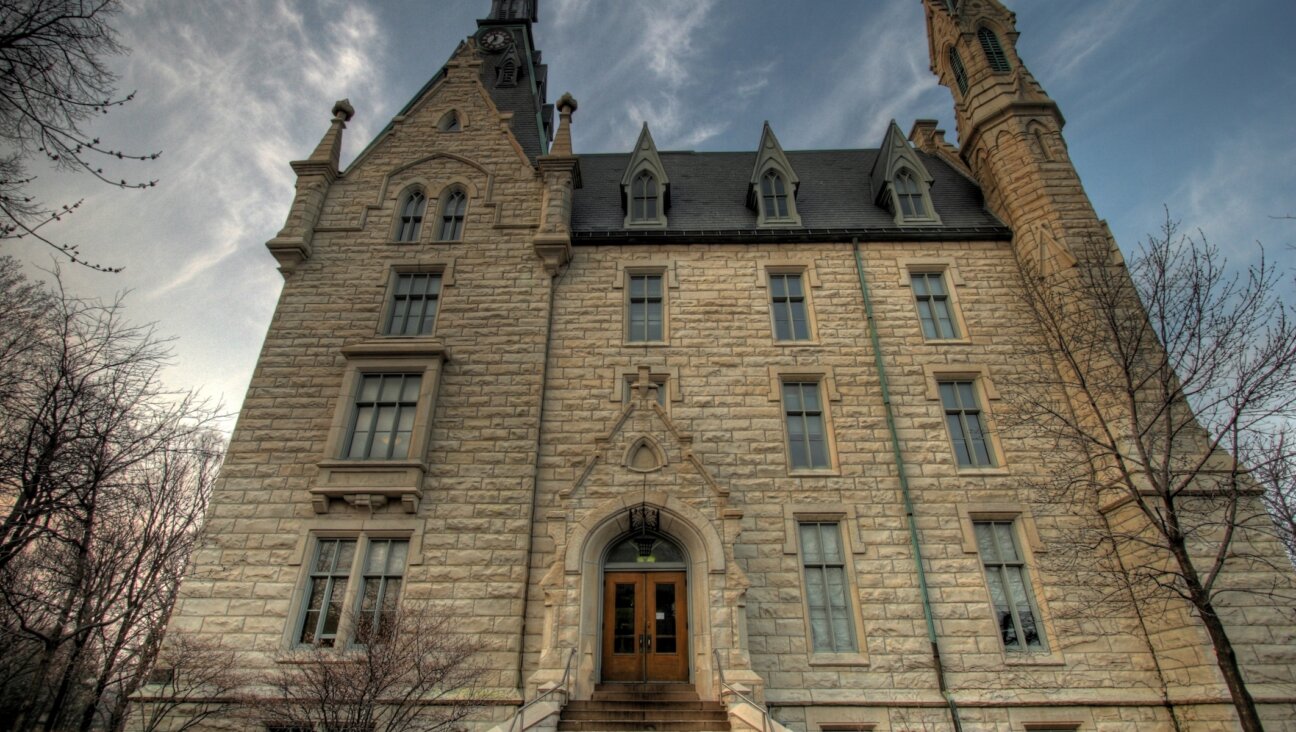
<point>52,82</point>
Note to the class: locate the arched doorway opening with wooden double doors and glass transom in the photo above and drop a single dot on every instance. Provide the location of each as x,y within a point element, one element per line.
<point>645,634</point>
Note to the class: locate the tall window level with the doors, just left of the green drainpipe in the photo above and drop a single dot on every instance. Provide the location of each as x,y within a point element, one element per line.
<point>833,628</point>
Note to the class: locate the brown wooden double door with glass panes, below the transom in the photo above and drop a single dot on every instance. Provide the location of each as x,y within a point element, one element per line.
<point>645,626</point>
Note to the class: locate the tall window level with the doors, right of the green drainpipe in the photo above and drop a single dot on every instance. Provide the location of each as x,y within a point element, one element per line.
<point>1010,586</point>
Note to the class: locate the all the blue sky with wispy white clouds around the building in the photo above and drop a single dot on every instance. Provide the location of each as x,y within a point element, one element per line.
<point>1185,104</point>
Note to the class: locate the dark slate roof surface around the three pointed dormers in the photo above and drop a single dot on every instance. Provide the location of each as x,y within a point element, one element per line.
<point>708,199</point>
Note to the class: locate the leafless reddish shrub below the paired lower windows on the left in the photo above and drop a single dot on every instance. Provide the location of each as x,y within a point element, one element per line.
<point>417,674</point>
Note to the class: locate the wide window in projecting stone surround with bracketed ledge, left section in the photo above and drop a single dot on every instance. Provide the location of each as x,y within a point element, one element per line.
<point>383,419</point>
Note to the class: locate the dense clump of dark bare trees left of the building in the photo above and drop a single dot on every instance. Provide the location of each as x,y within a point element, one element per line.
<point>104,481</point>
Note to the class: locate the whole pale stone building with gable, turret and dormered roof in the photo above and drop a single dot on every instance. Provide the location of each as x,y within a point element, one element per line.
<point>720,420</point>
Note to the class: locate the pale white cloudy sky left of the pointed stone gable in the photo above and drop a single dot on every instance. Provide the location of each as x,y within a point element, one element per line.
<point>230,93</point>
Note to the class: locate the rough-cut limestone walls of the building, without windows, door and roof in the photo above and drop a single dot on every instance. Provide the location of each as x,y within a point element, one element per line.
<point>537,426</point>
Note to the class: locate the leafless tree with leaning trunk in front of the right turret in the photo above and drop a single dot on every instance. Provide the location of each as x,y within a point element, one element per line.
<point>1172,380</point>
